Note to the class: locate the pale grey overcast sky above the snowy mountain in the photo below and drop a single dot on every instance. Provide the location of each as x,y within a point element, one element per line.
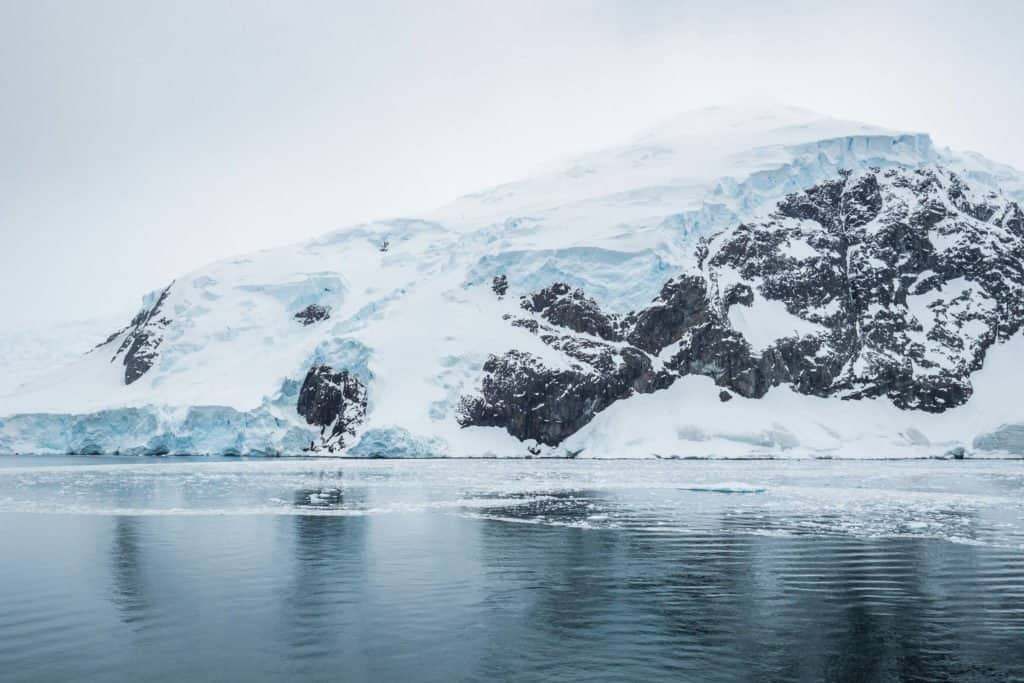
<point>142,140</point>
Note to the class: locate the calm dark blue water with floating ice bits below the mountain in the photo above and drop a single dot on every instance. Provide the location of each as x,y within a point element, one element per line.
<point>172,570</point>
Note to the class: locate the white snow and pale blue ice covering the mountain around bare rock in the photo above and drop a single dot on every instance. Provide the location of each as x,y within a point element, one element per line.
<point>413,316</point>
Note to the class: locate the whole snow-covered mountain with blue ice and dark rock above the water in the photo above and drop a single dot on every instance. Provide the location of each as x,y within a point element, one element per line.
<point>737,282</point>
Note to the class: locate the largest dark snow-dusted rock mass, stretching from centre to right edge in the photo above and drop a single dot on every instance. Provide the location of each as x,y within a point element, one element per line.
<point>882,284</point>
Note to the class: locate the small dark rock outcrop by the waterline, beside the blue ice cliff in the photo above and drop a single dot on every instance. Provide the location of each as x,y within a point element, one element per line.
<point>335,402</point>
